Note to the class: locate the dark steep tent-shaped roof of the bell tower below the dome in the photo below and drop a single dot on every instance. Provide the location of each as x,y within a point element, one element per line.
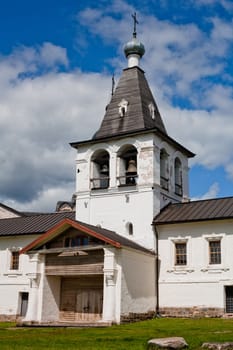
<point>132,87</point>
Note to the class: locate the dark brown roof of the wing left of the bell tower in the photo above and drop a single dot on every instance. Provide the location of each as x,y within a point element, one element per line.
<point>33,224</point>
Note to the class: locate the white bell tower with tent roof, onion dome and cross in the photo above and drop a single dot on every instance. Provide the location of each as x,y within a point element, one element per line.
<point>131,168</point>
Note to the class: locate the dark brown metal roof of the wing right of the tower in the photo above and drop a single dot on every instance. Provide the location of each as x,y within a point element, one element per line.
<point>203,210</point>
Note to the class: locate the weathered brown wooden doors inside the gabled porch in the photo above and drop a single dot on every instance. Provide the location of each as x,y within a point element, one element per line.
<point>81,299</point>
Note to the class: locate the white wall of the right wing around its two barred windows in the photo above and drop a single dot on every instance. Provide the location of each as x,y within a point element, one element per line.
<point>198,284</point>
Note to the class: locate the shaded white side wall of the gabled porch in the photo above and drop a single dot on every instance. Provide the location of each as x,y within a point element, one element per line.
<point>137,282</point>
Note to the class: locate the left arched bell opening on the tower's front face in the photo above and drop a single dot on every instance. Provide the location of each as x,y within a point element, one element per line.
<point>100,170</point>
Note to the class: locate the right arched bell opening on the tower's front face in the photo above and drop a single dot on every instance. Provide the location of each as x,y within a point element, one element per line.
<point>127,166</point>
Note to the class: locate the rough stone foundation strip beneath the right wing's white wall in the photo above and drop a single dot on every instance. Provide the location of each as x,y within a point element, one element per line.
<point>192,312</point>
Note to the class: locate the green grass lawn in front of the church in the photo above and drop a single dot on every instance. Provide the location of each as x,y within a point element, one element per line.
<point>124,337</point>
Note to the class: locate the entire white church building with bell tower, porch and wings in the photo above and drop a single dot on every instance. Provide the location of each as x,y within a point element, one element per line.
<point>135,246</point>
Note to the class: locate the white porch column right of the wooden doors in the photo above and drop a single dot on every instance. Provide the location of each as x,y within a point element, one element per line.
<point>110,272</point>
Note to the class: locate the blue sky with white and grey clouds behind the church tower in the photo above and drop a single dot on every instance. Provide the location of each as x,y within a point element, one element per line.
<point>57,58</point>
